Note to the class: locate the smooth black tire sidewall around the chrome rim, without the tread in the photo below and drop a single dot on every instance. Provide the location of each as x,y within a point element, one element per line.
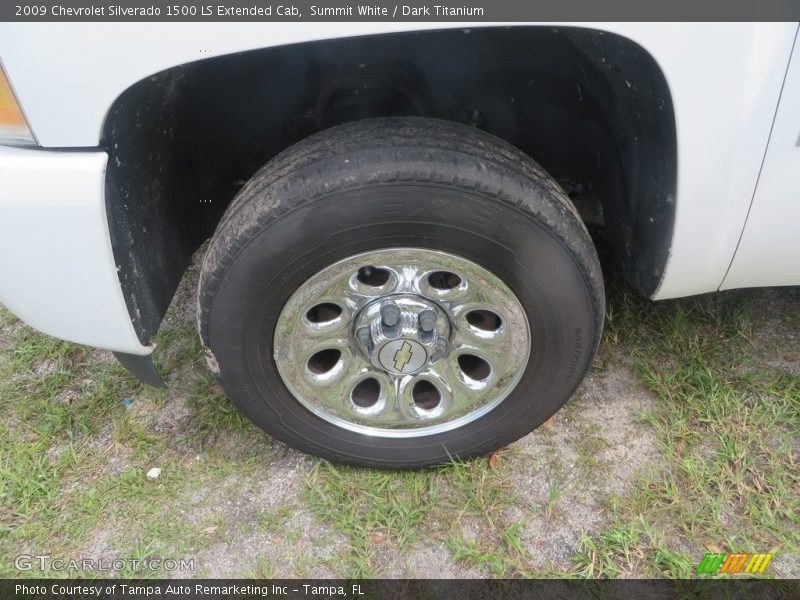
<point>544,271</point>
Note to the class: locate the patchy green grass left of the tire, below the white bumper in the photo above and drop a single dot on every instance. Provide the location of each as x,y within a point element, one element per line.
<point>65,426</point>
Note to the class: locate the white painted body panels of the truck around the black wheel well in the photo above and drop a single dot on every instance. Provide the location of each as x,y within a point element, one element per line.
<point>735,90</point>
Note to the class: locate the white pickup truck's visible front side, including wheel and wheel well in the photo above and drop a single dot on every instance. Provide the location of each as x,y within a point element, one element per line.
<point>396,271</point>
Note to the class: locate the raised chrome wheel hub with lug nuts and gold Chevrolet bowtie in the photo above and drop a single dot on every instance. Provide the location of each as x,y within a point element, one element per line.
<point>402,333</point>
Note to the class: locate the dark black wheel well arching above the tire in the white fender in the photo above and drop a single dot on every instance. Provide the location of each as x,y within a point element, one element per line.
<point>592,108</point>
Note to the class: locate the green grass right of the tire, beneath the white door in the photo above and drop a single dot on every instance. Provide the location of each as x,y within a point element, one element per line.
<point>727,477</point>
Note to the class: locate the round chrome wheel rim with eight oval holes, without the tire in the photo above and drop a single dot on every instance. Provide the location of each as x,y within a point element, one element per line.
<point>402,342</point>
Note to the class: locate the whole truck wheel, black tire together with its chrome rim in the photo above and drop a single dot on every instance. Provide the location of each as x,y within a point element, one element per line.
<point>399,292</point>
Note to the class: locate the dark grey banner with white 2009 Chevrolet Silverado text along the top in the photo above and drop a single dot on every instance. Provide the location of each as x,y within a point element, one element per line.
<point>309,11</point>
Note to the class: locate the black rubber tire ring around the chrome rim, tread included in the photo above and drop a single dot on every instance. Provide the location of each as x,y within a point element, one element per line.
<point>400,182</point>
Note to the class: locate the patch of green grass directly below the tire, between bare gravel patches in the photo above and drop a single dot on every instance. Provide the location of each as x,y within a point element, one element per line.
<point>376,510</point>
